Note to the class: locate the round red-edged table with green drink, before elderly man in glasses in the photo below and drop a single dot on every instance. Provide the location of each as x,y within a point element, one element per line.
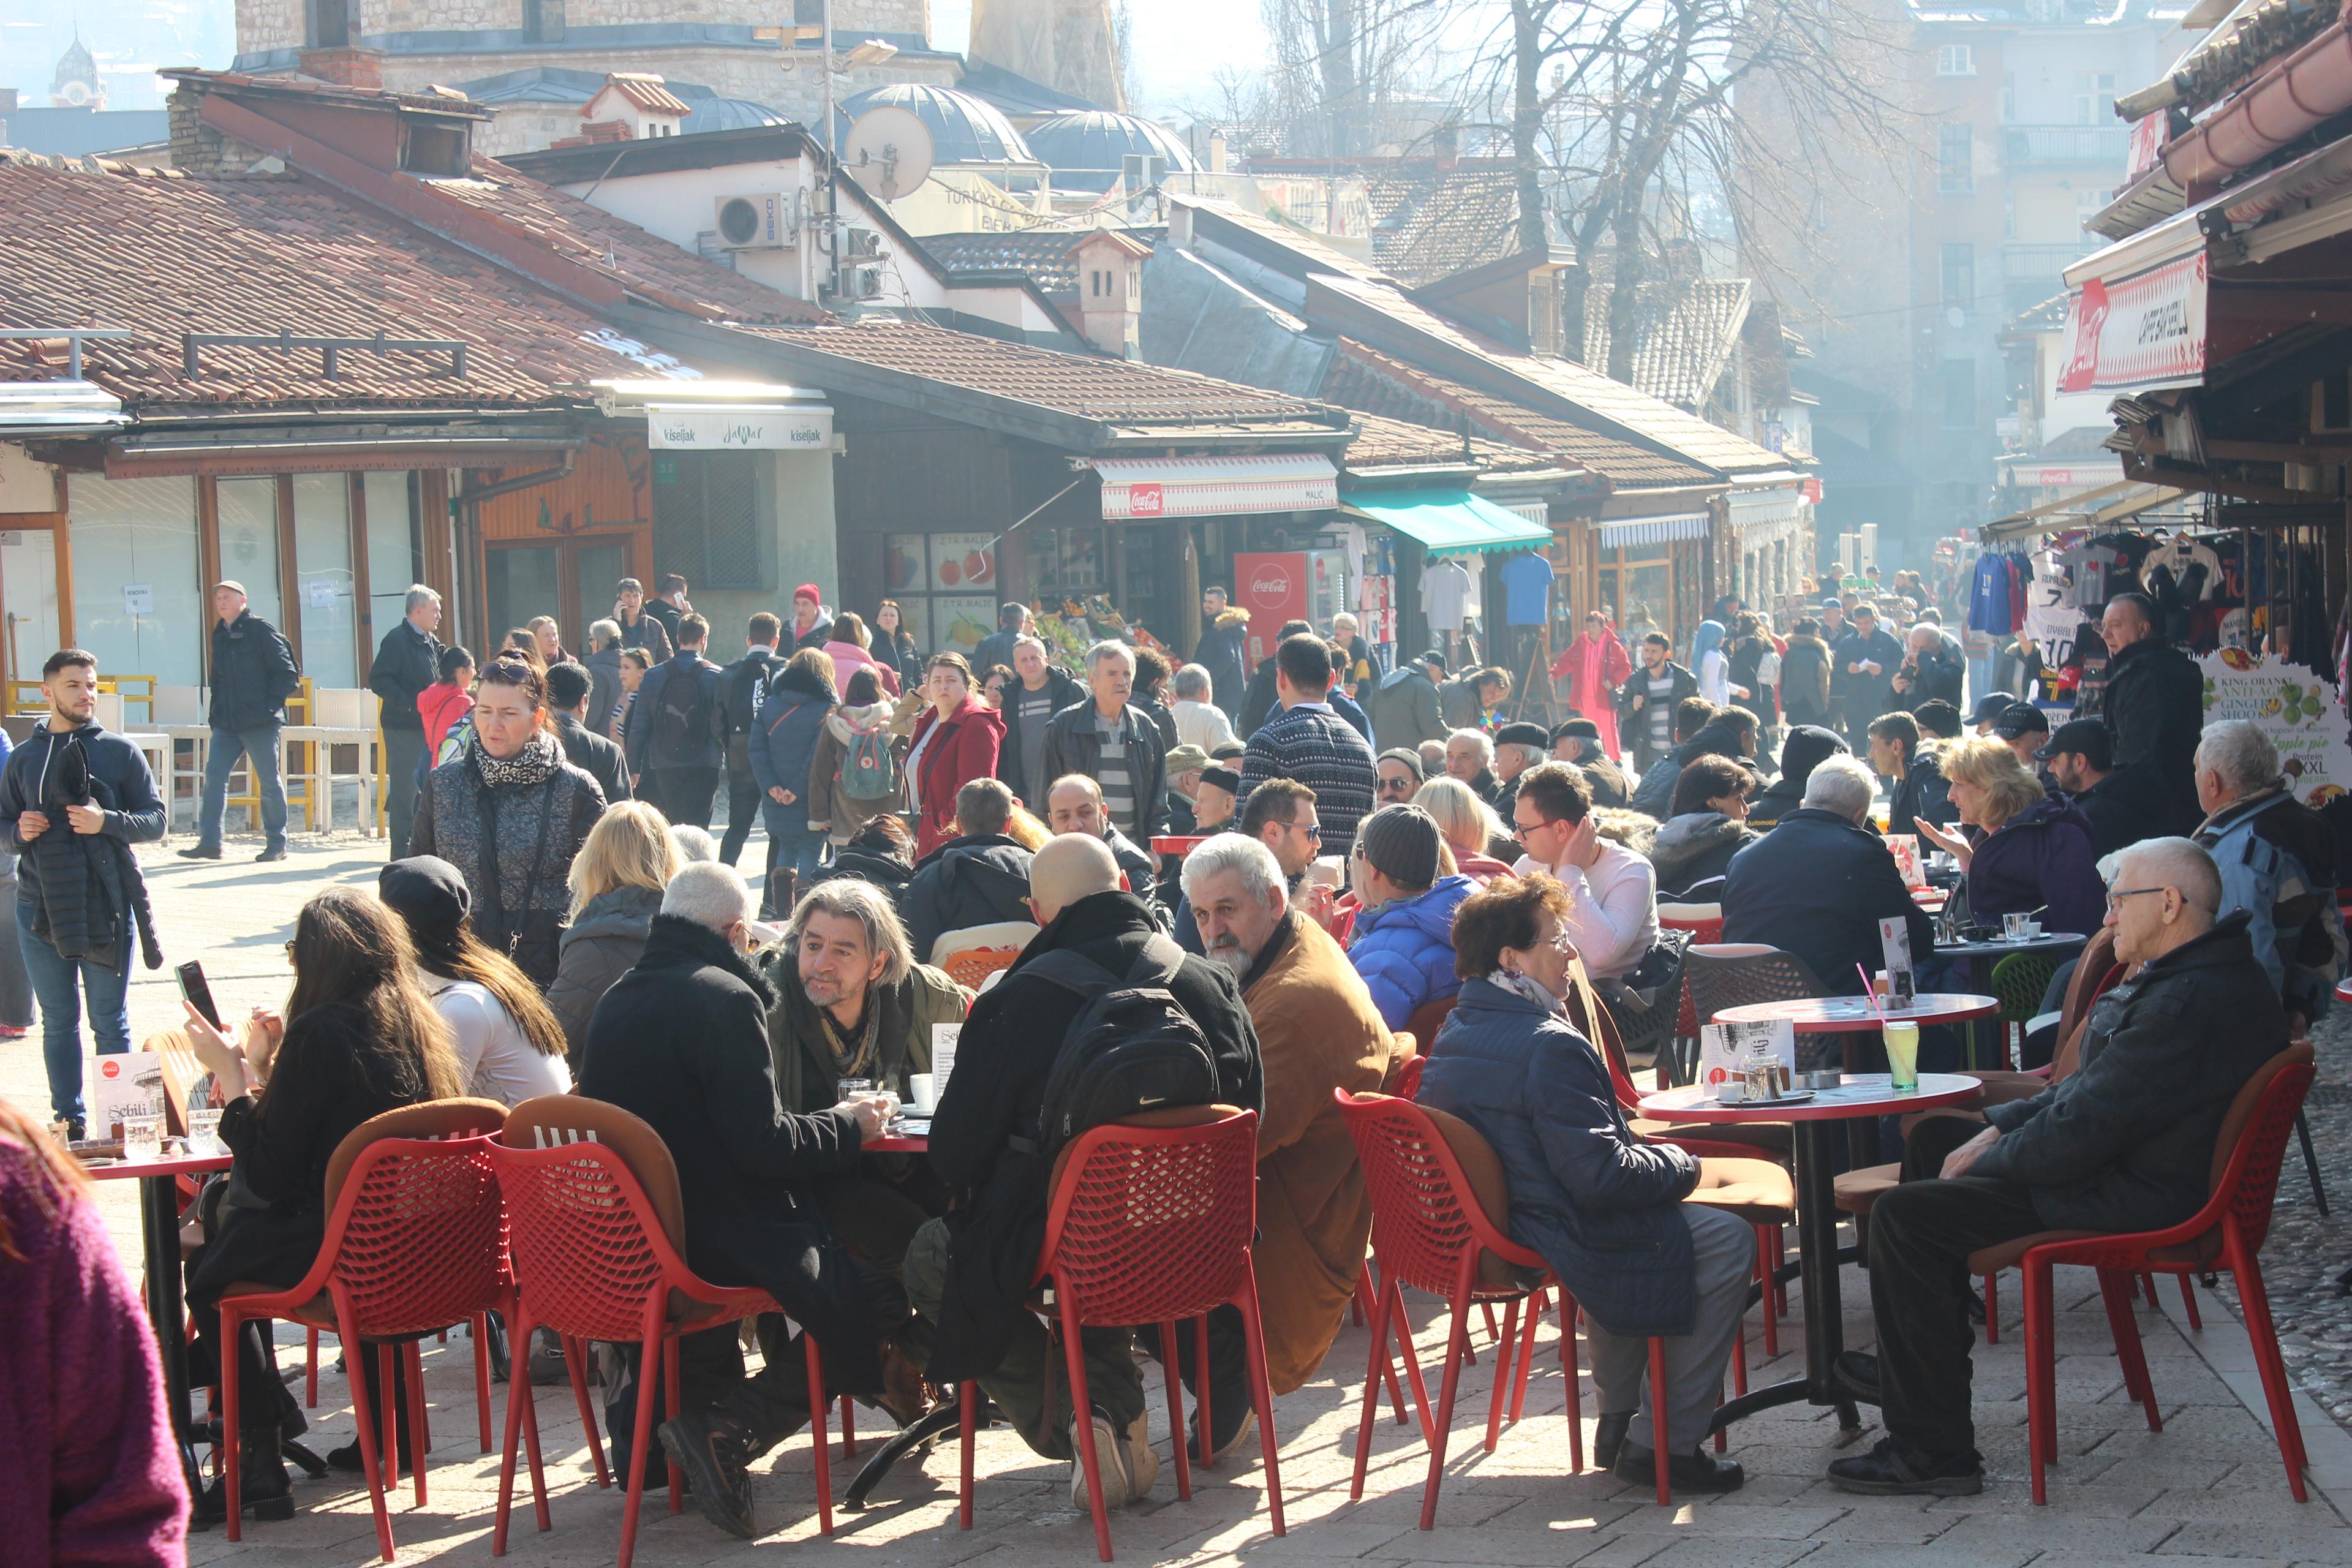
<point>1812,1127</point>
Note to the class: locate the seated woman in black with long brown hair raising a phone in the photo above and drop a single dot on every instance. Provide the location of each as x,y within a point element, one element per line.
<point>359,1038</point>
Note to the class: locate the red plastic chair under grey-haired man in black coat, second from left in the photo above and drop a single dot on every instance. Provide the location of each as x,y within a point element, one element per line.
<point>599,1226</point>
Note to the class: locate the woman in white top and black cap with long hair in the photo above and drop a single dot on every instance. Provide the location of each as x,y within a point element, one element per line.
<point>507,1038</point>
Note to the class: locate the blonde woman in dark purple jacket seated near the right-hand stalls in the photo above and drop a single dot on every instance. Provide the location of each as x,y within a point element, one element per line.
<point>2026,850</point>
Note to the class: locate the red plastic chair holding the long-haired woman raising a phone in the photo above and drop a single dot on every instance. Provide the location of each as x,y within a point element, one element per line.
<point>415,1242</point>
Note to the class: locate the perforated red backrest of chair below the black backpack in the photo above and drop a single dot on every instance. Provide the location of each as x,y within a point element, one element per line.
<point>1154,1224</point>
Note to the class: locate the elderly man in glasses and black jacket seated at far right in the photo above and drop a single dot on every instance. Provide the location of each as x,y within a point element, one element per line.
<point>2120,1146</point>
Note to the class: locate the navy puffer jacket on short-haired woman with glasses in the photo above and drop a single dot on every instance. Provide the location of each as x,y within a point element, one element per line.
<point>1596,1202</point>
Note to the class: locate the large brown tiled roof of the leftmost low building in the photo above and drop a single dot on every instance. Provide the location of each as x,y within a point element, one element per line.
<point>166,255</point>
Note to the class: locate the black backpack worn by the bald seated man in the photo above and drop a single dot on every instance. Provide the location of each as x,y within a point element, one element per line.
<point>1132,1047</point>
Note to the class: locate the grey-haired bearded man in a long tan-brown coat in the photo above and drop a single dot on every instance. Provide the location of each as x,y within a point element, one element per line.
<point>1318,1031</point>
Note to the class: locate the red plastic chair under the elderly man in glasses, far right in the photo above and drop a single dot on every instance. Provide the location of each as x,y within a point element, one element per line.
<point>2229,1235</point>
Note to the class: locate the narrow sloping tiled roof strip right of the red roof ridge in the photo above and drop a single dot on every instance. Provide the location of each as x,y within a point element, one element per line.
<point>643,262</point>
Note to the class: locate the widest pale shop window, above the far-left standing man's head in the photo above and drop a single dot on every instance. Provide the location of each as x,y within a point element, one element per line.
<point>138,601</point>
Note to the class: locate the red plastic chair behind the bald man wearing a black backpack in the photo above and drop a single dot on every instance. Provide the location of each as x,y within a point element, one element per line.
<point>1151,1224</point>
